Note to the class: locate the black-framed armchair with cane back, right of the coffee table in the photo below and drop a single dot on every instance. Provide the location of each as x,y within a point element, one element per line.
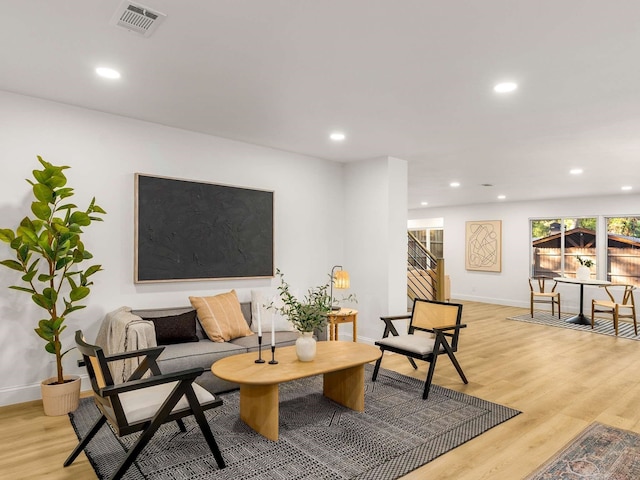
<point>440,319</point>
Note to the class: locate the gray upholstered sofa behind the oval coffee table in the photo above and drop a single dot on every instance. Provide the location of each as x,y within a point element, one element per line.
<point>204,353</point>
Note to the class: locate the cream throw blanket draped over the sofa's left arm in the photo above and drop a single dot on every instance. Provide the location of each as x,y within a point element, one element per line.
<point>116,336</point>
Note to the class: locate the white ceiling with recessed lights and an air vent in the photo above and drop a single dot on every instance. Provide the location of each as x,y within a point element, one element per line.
<point>410,79</point>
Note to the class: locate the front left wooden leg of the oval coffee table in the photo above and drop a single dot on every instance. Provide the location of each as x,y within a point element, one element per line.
<point>259,408</point>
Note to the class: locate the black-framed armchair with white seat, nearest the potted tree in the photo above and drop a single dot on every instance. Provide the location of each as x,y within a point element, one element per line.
<point>143,404</point>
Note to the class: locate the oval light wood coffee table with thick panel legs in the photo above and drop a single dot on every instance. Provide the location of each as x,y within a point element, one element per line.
<point>341,364</point>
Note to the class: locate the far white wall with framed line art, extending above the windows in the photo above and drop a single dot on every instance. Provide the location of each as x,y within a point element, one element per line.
<point>510,286</point>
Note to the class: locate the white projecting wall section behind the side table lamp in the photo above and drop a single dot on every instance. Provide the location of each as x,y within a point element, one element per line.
<point>375,229</point>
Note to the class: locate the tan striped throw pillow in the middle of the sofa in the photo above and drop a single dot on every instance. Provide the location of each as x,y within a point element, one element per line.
<point>221,316</point>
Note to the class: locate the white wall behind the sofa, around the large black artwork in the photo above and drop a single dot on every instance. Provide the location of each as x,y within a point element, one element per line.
<point>104,151</point>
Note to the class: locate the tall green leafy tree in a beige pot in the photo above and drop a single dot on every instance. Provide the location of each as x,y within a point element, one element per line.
<point>48,254</point>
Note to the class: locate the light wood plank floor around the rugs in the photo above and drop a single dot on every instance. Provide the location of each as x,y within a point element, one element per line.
<point>562,380</point>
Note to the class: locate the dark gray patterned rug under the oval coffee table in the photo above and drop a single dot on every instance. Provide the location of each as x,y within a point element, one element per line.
<point>319,439</point>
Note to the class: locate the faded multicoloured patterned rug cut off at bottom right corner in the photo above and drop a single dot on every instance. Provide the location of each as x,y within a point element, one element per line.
<point>599,452</point>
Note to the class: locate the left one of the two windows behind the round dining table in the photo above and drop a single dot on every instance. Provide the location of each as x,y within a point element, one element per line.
<point>557,243</point>
